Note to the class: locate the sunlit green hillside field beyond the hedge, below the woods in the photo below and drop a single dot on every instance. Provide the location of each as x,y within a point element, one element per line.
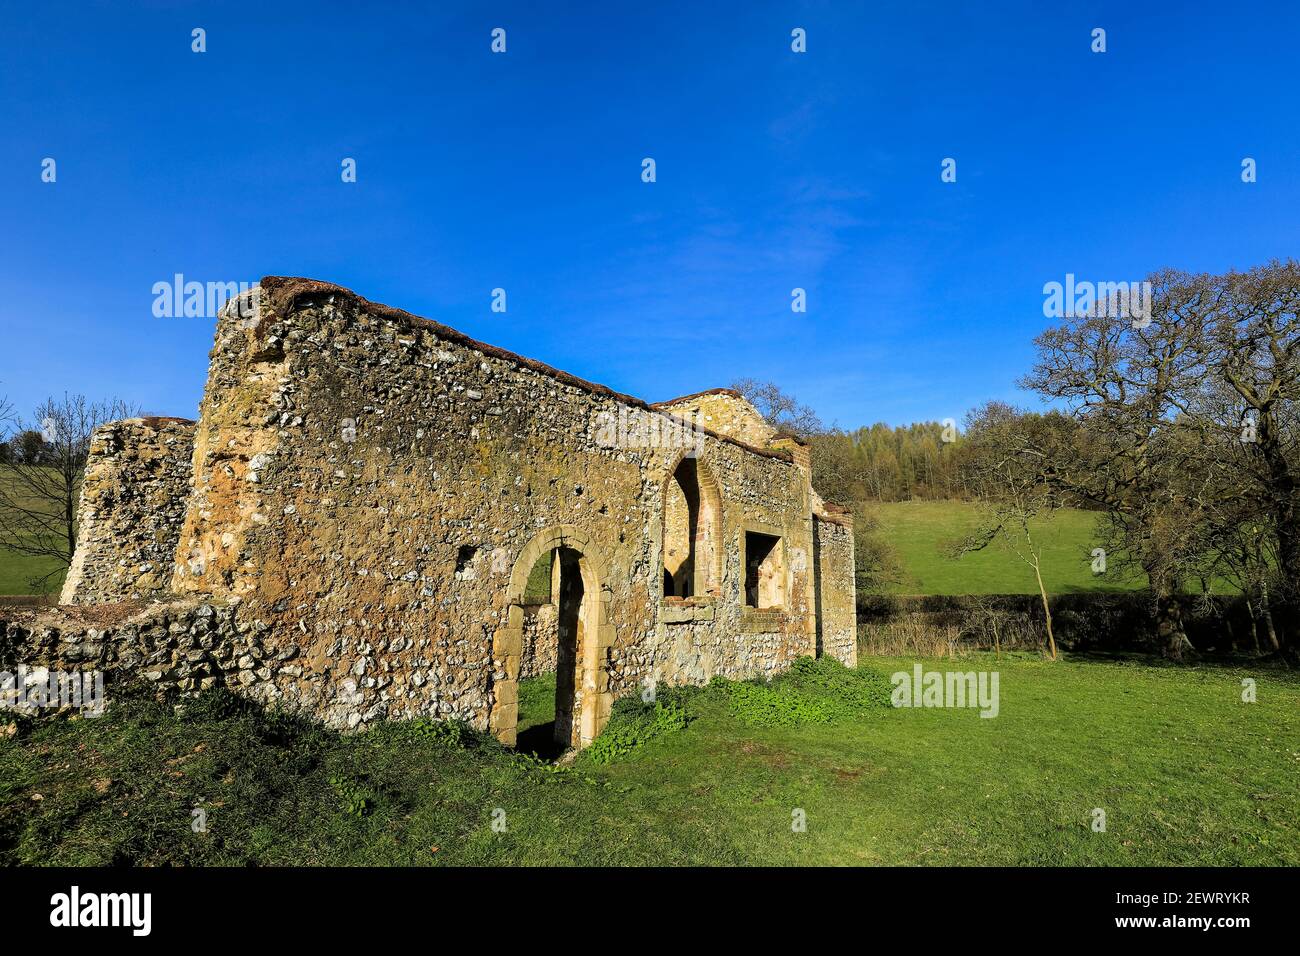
<point>920,531</point>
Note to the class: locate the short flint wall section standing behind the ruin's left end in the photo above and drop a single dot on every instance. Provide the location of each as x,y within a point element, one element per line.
<point>133,503</point>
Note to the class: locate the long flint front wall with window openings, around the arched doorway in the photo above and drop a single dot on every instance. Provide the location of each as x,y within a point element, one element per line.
<point>366,483</point>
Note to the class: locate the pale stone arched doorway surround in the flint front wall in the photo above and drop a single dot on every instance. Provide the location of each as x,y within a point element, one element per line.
<point>586,637</point>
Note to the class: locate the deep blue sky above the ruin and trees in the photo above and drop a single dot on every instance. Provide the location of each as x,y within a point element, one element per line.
<point>523,171</point>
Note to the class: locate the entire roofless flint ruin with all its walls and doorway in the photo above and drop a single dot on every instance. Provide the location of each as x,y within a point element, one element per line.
<point>376,517</point>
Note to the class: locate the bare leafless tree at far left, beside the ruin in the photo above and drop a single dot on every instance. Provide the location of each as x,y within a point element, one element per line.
<point>41,487</point>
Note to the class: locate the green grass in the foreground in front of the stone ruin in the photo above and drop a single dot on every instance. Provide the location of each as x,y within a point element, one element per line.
<point>1185,772</point>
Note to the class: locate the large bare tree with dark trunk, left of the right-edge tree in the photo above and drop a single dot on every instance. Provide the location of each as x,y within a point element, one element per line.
<point>1130,384</point>
